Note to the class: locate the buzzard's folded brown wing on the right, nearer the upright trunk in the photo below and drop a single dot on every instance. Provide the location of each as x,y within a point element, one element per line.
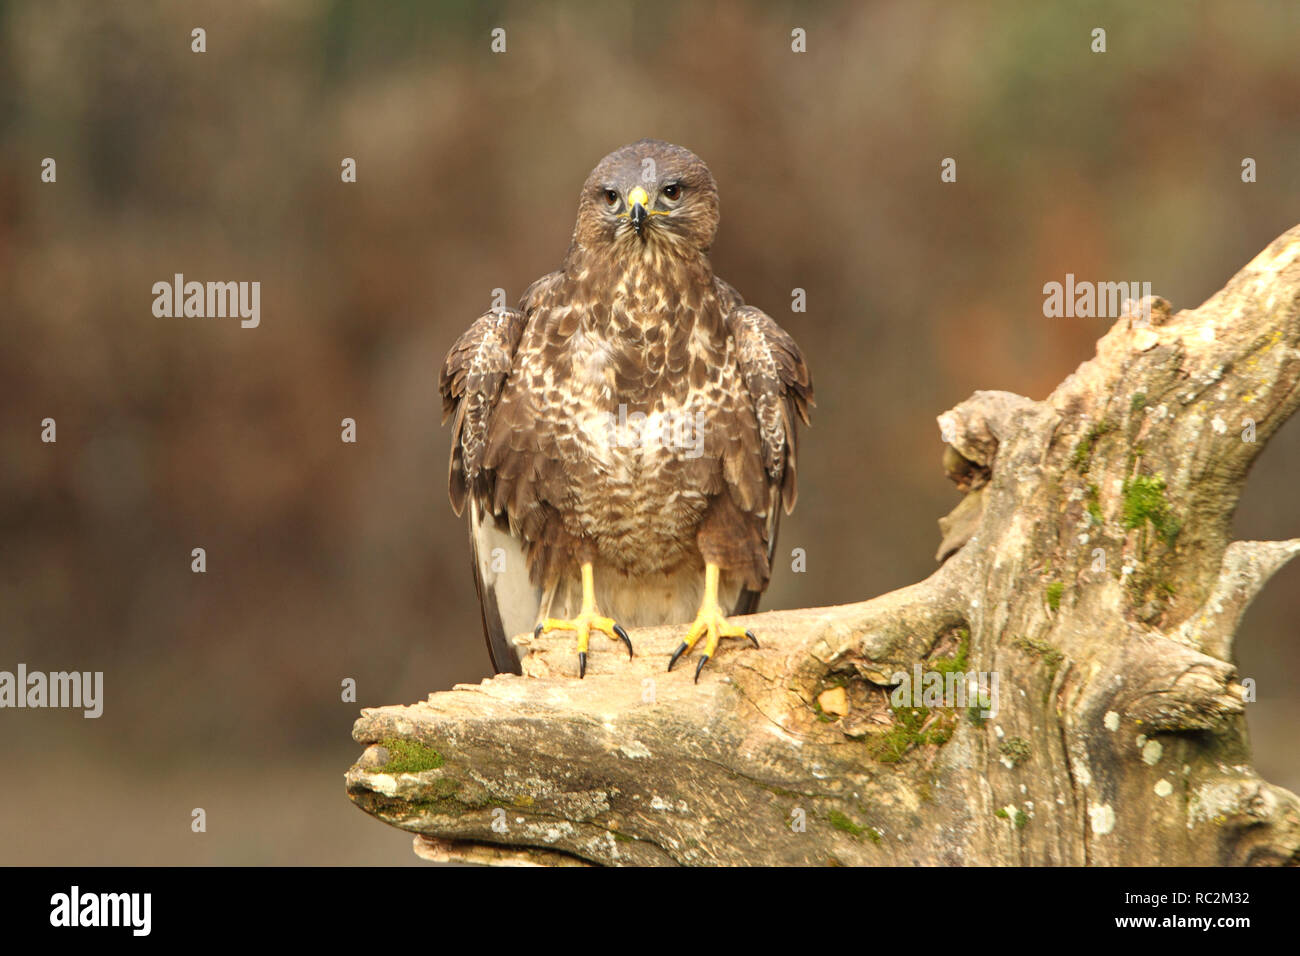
<point>781,388</point>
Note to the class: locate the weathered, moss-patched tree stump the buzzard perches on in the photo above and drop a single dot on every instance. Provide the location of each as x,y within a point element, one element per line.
<point>1089,568</point>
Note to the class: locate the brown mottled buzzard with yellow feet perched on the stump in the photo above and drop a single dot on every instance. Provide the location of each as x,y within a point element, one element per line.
<point>626,438</point>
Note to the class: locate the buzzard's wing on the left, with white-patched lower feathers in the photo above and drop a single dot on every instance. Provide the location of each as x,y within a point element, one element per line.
<point>471,384</point>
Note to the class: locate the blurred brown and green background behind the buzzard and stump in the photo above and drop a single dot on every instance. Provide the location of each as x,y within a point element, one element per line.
<point>331,561</point>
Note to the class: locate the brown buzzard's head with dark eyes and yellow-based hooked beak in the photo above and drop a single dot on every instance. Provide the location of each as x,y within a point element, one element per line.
<point>649,196</point>
